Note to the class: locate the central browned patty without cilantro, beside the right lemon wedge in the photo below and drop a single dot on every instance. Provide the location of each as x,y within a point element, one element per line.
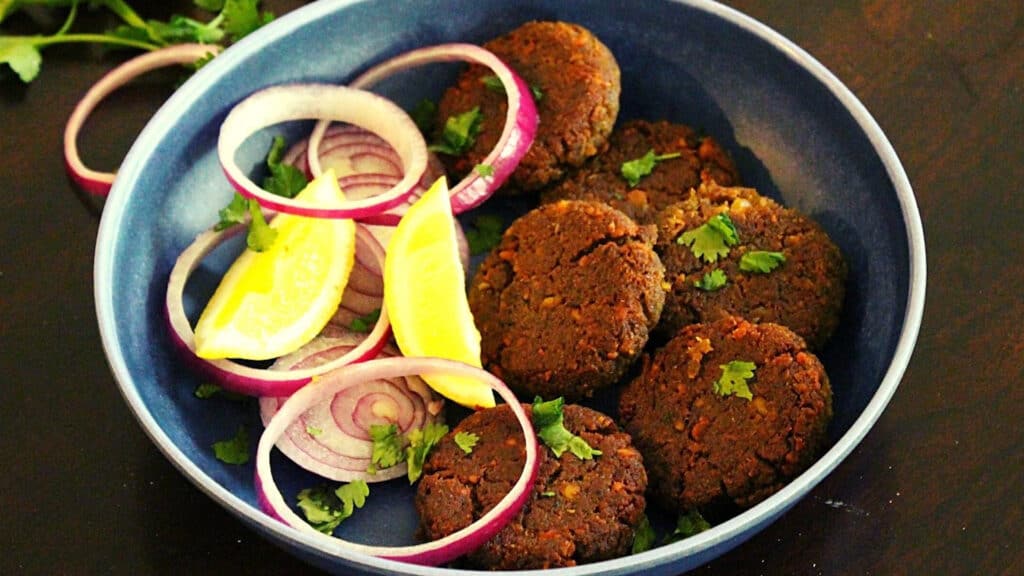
<point>566,303</point>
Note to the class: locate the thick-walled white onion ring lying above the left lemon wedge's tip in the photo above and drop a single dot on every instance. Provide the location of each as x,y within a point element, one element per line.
<point>306,102</point>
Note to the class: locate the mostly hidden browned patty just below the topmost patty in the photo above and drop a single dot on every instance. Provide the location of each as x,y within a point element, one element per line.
<point>701,160</point>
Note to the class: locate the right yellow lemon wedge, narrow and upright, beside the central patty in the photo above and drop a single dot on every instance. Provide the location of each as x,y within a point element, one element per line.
<point>425,296</point>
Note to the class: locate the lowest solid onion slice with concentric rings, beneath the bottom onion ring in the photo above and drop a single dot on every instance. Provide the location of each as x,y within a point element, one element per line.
<point>331,438</point>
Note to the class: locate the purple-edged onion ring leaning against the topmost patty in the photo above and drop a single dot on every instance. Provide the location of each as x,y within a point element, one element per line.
<point>517,138</point>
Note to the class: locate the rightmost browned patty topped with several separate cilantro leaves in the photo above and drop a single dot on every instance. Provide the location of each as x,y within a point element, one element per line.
<point>804,294</point>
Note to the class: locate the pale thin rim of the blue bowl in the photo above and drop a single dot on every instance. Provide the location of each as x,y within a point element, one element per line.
<point>735,529</point>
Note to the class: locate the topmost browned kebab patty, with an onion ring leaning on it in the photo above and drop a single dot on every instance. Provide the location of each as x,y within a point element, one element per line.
<point>580,83</point>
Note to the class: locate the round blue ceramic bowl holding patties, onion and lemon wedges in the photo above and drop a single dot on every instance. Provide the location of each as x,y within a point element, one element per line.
<point>797,134</point>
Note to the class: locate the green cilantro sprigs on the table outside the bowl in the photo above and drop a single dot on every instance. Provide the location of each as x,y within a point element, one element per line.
<point>234,20</point>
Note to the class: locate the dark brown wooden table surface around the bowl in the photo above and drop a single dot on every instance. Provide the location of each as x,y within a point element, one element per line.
<point>936,487</point>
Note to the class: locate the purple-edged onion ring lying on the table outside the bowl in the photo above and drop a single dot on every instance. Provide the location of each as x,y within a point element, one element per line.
<point>96,182</point>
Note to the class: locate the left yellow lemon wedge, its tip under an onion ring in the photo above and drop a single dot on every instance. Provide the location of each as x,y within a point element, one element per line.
<point>272,303</point>
